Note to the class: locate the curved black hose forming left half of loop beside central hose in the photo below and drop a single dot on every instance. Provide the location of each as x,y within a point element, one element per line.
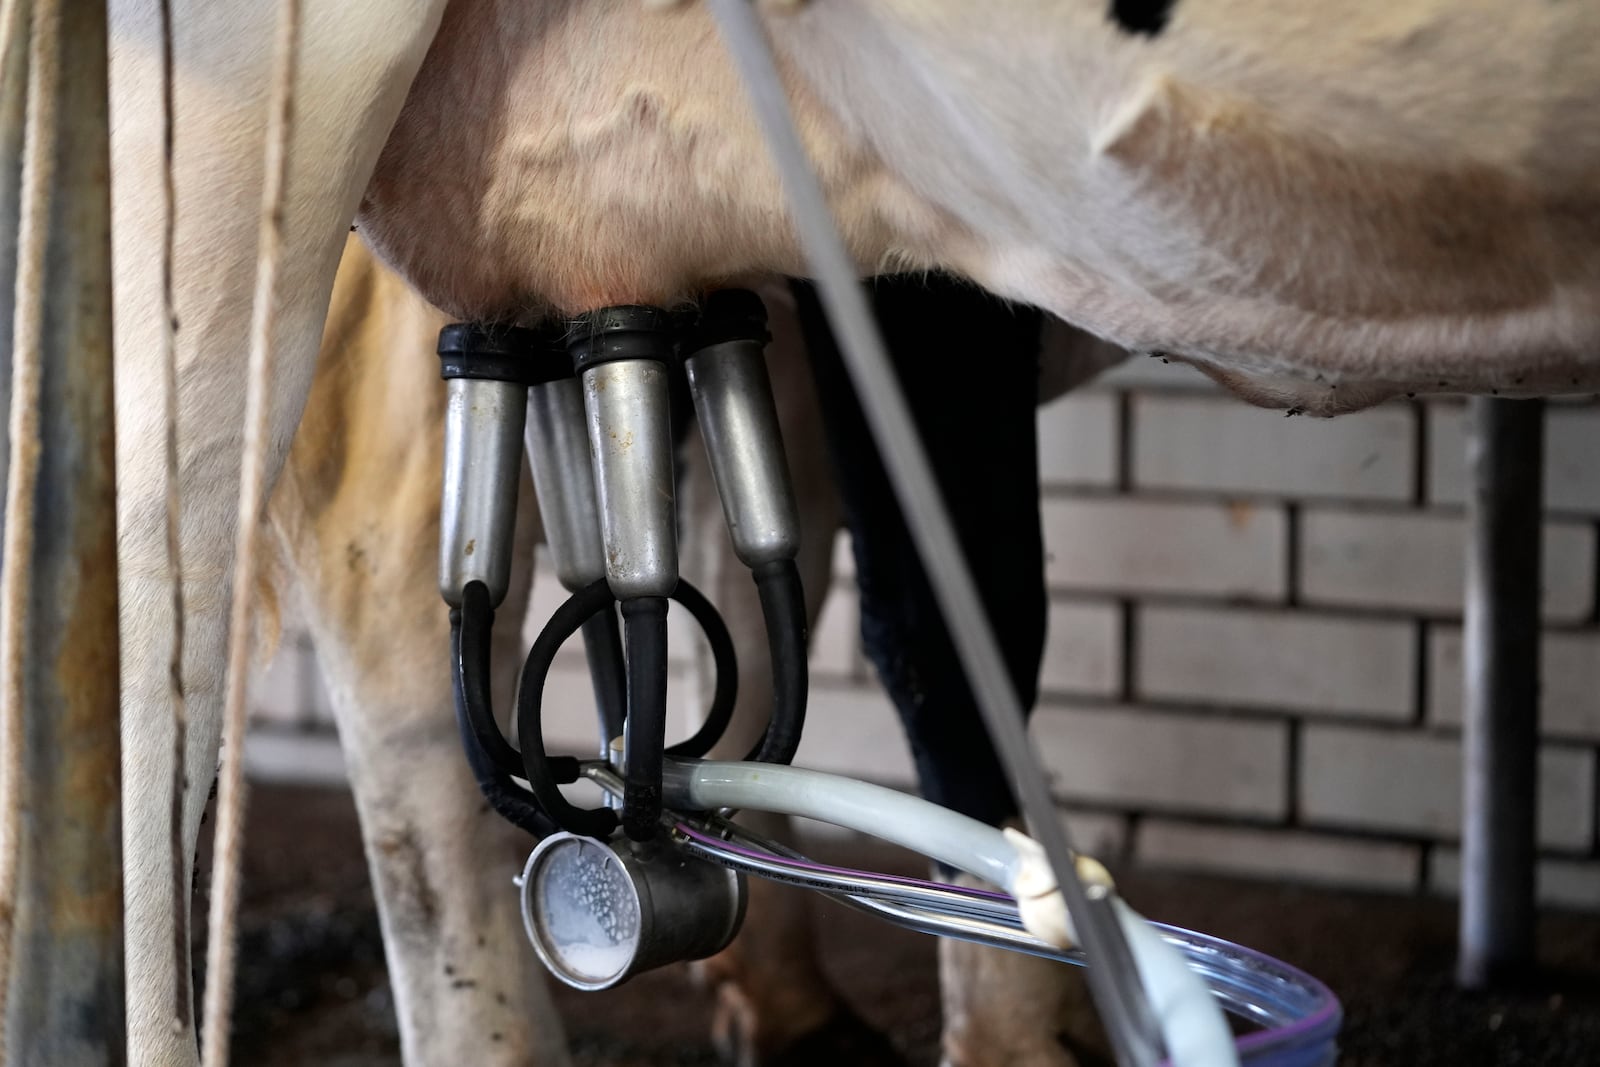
<point>542,772</point>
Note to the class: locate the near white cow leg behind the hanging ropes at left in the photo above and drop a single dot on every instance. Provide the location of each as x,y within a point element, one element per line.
<point>354,66</point>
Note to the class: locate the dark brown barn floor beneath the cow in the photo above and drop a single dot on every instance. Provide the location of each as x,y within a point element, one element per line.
<point>313,986</point>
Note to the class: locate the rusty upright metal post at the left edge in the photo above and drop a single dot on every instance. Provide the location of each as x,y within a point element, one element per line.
<point>66,989</point>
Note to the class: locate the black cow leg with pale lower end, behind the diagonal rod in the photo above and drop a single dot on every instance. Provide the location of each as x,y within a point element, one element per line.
<point>977,420</point>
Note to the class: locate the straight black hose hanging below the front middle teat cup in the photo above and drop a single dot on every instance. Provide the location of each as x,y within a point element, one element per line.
<point>646,631</point>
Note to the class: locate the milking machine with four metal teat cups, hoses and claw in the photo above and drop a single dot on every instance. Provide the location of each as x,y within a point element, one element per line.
<point>657,874</point>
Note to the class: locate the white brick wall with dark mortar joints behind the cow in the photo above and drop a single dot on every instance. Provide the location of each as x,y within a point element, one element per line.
<point>1254,657</point>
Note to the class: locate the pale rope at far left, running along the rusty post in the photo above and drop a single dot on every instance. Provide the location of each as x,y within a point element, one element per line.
<point>39,174</point>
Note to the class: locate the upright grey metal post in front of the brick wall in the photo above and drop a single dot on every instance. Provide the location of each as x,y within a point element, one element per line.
<point>1502,690</point>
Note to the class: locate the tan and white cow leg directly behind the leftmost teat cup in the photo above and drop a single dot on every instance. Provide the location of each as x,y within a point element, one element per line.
<point>362,541</point>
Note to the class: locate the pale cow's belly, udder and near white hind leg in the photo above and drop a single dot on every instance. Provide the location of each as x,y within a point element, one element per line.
<point>1321,206</point>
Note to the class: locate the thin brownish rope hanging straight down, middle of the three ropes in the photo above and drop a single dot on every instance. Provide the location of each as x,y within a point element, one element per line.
<point>183,999</point>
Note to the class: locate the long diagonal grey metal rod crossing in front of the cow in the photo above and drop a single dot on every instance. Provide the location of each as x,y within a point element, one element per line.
<point>1114,980</point>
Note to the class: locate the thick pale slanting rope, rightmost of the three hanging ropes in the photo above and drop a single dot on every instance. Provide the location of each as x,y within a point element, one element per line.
<point>252,490</point>
